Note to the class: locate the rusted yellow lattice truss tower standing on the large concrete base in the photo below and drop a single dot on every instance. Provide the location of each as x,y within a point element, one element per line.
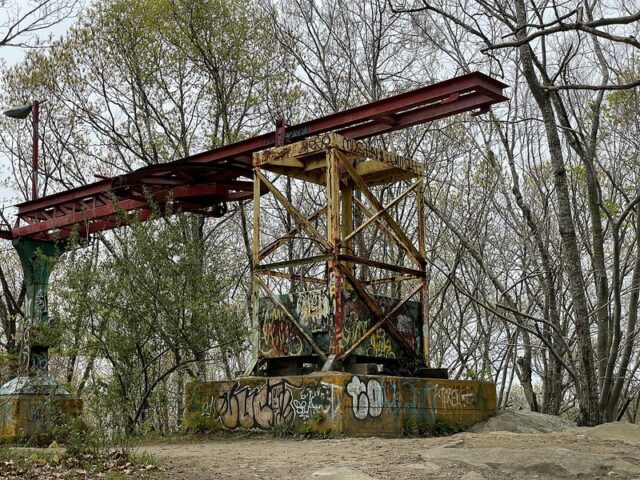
<point>341,166</point>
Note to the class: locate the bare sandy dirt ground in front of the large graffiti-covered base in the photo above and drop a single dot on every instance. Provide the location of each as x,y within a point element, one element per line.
<point>609,451</point>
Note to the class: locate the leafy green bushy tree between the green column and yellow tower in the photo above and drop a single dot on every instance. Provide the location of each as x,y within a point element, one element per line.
<point>153,302</point>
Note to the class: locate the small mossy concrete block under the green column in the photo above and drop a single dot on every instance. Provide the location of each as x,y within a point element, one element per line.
<point>35,416</point>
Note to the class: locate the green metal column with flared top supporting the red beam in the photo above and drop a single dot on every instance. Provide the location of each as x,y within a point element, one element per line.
<point>38,259</point>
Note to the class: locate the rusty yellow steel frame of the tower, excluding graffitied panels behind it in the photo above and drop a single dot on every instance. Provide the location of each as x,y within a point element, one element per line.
<point>342,167</point>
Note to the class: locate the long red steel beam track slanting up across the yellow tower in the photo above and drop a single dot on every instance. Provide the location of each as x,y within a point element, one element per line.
<point>198,182</point>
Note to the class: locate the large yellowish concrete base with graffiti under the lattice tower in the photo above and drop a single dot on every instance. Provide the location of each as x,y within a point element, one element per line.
<point>337,403</point>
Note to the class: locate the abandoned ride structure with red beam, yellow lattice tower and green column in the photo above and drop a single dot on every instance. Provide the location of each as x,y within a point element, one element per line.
<point>329,152</point>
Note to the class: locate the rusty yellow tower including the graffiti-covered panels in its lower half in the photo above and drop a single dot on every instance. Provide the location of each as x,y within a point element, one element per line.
<point>333,319</point>
